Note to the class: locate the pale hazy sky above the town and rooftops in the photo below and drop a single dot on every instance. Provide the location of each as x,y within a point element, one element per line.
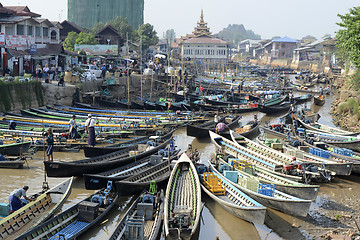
<point>292,18</point>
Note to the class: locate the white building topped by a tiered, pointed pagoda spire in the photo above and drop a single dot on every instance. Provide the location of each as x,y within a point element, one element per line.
<point>201,45</point>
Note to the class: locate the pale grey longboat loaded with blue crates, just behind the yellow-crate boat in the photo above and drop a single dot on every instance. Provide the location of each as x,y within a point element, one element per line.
<point>280,201</point>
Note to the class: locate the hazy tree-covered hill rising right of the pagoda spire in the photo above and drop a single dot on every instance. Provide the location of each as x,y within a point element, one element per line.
<point>235,33</point>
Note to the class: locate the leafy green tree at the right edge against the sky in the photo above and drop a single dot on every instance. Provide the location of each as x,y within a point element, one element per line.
<point>348,37</point>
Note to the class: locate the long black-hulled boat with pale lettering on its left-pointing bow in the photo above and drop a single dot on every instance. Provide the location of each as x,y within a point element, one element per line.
<point>103,163</point>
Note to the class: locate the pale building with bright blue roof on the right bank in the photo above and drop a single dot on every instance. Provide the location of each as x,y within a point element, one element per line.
<point>280,48</point>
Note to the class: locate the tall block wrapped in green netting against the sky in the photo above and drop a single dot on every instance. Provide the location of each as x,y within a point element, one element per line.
<point>86,13</point>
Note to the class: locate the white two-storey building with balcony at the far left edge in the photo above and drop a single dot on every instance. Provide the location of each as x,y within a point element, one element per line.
<point>27,39</point>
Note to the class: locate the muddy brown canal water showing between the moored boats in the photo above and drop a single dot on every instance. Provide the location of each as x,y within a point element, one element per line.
<point>215,222</point>
